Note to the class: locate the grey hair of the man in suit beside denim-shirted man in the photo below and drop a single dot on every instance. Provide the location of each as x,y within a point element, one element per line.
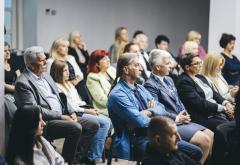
<point>156,57</point>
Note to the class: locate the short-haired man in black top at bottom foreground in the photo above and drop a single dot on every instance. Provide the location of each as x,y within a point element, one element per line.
<point>162,148</point>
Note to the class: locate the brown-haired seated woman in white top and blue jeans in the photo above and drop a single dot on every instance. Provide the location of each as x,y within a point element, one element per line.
<point>59,72</point>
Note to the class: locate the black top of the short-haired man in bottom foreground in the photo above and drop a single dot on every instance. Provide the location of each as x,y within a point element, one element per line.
<point>153,157</point>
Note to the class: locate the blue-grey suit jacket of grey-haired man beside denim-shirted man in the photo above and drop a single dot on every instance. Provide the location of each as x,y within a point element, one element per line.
<point>167,96</point>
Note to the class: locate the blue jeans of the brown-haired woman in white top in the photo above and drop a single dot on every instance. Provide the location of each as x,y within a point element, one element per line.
<point>97,146</point>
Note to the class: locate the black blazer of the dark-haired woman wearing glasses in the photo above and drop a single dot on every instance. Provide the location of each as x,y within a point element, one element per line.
<point>194,100</point>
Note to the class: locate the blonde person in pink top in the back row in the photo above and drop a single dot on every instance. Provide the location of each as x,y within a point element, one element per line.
<point>195,37</point>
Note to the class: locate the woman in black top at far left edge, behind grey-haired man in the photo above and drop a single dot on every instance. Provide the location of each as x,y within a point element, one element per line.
<point>11,74</point>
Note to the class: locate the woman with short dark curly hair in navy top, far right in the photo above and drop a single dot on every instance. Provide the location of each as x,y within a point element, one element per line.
<point>231,69</point>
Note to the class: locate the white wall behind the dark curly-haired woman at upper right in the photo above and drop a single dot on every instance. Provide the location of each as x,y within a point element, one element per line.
<point>224,18</point>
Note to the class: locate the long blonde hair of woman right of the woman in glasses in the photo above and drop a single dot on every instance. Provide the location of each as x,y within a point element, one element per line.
<point>210,64</point>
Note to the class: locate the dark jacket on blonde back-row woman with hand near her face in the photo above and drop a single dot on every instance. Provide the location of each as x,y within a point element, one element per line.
<point>82,66</point>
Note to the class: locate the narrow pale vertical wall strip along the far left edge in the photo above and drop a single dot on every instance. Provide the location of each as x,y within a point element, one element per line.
<point>2,114</point>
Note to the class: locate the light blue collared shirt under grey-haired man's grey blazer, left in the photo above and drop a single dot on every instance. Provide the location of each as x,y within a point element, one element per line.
<point>42,84</point>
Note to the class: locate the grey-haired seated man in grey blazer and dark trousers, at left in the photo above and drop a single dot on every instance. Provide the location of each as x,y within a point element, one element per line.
<point>35,87</point>
